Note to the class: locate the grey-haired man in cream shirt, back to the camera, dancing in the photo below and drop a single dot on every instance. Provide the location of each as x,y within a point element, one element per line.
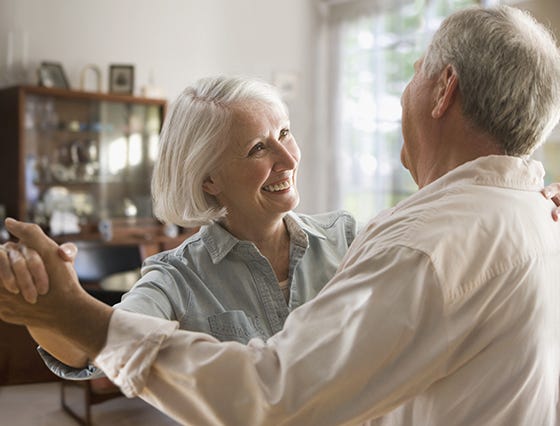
<point>445,310</point>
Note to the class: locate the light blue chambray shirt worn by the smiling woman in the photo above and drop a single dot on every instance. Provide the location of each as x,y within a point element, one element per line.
<point>217,284</point>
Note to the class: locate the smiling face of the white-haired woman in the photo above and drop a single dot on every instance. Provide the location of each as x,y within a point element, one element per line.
<point>256,180</point>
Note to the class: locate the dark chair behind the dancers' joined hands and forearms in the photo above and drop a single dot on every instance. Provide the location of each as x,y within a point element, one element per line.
<point>95,263</point>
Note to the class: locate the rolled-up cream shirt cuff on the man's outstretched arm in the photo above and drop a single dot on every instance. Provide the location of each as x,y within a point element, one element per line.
<point>133,343</point>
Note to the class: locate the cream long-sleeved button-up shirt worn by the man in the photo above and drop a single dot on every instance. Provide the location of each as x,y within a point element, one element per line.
<point>445,311</point>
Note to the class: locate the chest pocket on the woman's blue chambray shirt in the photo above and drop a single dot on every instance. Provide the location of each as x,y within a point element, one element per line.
<point>236,326</point>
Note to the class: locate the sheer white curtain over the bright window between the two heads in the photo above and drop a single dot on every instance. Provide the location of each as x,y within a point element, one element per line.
<point>366,52</point>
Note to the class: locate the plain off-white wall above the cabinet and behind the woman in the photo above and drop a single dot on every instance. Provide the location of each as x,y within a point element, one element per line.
<point>179,41</point>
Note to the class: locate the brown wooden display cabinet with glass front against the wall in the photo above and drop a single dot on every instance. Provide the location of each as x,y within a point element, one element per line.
<point>71,161</point>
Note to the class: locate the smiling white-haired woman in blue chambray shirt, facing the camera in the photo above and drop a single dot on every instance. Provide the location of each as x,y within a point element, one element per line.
<point>228,163</point>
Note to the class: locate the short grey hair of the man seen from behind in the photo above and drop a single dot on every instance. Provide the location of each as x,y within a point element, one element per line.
<point>509,73</point>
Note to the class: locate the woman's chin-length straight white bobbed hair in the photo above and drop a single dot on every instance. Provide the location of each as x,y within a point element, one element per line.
<point>192,141</point>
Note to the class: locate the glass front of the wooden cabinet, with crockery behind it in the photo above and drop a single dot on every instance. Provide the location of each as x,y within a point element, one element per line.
<point>87,160</point>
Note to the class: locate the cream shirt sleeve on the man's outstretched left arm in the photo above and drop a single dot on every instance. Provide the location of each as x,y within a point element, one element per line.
<point>372,339</point>
